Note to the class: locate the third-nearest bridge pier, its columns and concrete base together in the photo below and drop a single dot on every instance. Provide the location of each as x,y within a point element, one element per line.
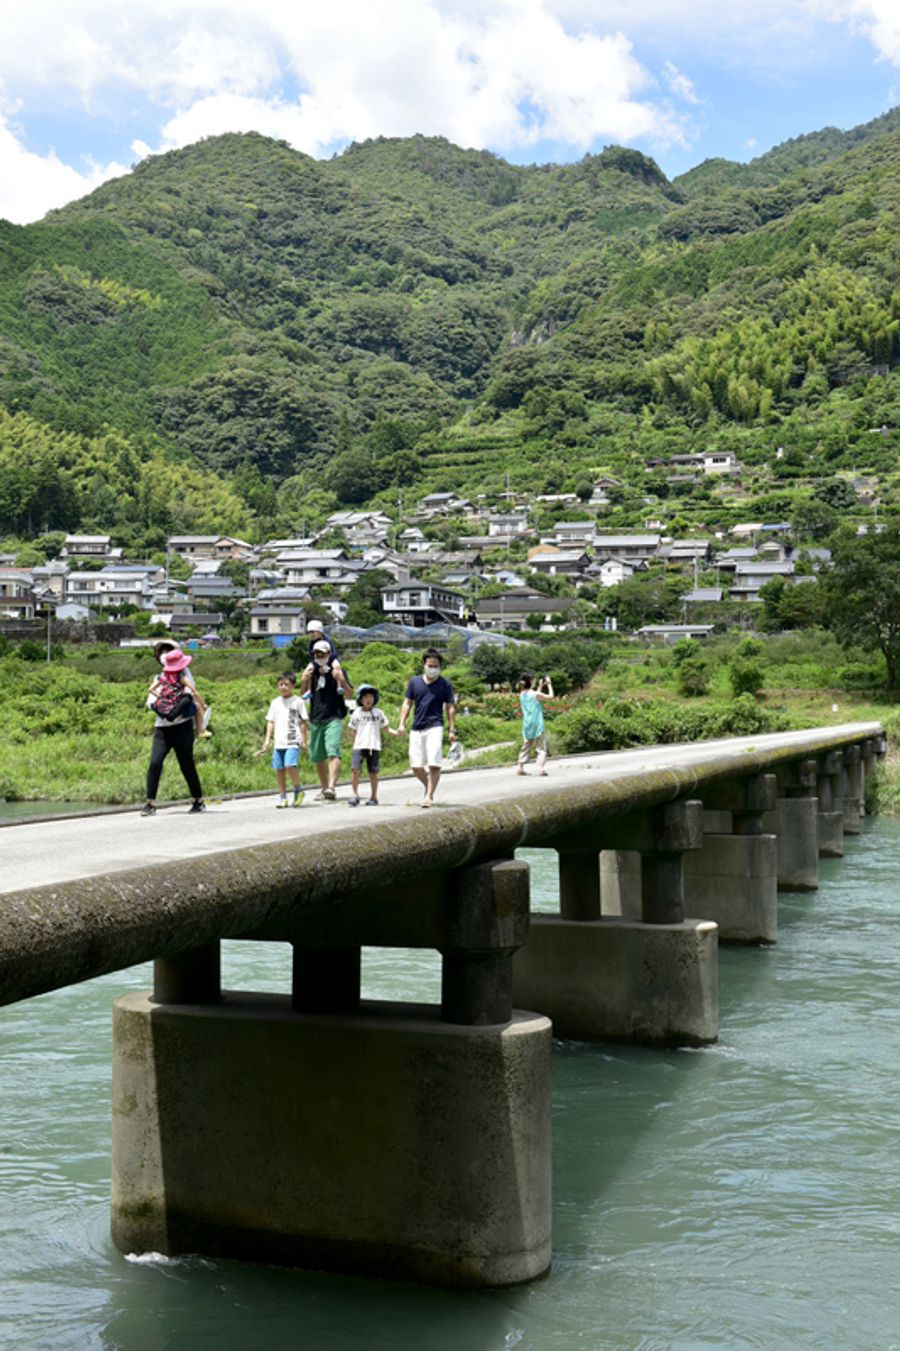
<point>733,879</point>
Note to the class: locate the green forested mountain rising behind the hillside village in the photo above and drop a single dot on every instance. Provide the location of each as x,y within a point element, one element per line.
<point>239,332</point>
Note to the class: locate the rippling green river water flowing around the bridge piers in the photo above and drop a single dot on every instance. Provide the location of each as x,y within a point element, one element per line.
<point>747,1195</point>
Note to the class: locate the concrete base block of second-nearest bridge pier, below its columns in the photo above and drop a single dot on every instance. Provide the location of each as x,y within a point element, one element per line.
<point>617,980</point>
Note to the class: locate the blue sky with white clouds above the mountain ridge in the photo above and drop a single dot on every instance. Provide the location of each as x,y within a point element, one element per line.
<point>90,87</point>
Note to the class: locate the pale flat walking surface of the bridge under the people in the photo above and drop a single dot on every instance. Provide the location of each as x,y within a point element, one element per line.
<point>57,852</point>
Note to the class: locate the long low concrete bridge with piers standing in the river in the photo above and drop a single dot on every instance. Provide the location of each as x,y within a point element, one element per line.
<point>409,1141</point>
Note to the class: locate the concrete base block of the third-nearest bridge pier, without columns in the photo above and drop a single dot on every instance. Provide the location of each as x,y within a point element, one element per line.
<point>733,880</point>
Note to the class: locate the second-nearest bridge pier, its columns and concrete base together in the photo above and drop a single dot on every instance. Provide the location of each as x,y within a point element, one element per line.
<point>614,977</point>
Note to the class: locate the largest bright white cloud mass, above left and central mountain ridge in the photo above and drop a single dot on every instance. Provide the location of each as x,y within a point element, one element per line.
<point>505,74</point>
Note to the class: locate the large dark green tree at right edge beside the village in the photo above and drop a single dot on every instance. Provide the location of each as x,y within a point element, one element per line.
<point>863,594</point>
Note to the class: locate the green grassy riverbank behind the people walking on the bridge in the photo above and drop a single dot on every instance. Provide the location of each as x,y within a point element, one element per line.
<point>78,730</point>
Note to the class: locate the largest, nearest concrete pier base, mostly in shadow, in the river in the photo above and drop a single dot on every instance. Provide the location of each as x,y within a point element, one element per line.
<point>387,1144</point>
